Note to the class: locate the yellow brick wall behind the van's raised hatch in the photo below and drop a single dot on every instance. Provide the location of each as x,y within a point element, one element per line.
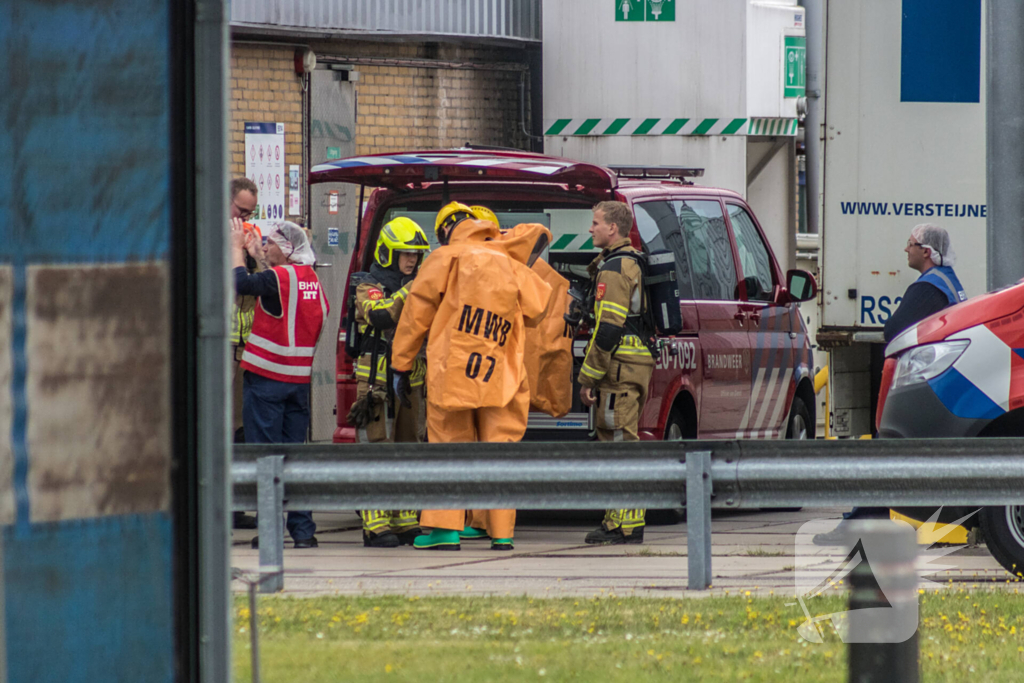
<point>400,108</point>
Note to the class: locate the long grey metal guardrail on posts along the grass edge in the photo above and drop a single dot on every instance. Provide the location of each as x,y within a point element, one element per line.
<point>734,475</point>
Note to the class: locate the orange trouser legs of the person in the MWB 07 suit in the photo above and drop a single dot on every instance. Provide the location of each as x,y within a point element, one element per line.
<point>486,425</point>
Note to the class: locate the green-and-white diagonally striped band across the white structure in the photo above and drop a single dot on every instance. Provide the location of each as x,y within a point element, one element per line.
<point>657,127</point>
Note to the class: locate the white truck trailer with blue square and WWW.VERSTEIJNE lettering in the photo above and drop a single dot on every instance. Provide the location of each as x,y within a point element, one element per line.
<point>901,122</point>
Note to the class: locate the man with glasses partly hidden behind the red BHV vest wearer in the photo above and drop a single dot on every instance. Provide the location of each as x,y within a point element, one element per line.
<point>244,202</point>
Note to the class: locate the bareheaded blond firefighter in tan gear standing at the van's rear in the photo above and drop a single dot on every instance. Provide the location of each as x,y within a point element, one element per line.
<point>618,366</point>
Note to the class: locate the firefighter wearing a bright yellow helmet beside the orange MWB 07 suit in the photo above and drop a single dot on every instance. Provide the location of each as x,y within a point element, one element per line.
<point>380,297</point>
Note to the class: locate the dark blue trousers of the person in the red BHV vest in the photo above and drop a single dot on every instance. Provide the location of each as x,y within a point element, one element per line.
<point>276,412</point>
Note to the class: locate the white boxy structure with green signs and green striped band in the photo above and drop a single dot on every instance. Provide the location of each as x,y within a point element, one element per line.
<point>710,84</point>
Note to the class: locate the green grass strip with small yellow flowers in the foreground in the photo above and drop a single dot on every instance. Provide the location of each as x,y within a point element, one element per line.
<point>965,635</point>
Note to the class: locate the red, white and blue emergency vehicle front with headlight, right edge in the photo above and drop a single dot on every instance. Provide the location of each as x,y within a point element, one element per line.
<point>960,373</point>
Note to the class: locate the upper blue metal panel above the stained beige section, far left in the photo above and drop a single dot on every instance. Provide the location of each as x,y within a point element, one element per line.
<point>84,142</point>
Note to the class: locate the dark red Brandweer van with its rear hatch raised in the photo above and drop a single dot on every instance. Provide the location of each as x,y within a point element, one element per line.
<point>740,367</point>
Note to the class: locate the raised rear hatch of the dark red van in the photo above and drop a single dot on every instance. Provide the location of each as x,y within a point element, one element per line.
<point>397,172</point>
